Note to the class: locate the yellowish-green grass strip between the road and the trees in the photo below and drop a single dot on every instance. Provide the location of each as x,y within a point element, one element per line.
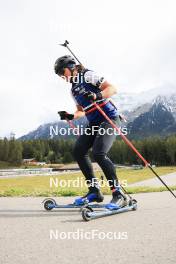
<point>39,185</point>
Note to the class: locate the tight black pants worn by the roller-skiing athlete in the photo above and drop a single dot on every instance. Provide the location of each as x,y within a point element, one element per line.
<point>100,144</point>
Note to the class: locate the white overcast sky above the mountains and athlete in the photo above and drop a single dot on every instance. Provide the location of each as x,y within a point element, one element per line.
<point>131,42</point>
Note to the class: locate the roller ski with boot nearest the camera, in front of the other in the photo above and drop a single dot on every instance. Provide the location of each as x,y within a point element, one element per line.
<point>119,204</point>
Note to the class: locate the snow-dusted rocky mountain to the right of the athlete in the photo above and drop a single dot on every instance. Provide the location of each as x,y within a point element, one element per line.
<point>155,118</point>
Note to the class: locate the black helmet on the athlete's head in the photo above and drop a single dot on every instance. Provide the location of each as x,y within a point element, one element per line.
<point>66,61</point>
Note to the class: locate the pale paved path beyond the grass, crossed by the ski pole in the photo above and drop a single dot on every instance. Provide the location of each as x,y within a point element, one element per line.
<point>169,179</point>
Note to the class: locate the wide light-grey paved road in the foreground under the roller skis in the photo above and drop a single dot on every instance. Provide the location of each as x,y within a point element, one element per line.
<point>151,233</point>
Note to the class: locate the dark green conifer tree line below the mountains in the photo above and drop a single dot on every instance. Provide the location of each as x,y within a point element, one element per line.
<point>157,150</point>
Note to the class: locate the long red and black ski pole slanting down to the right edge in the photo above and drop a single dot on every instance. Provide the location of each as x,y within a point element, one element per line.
<point>147,164</point>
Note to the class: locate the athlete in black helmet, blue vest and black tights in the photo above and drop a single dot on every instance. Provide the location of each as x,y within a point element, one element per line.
<point>87,87</point>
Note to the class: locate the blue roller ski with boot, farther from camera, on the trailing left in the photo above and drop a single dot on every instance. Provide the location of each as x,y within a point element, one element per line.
<point>91,200</point>
